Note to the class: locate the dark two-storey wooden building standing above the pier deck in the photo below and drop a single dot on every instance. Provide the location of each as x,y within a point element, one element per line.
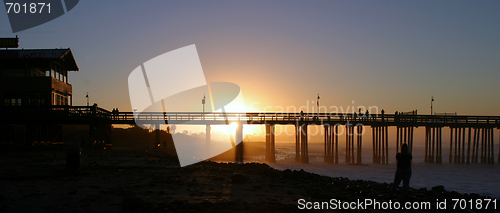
<point>36,77</point>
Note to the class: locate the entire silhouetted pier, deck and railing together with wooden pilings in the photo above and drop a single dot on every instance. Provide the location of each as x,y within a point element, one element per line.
<point>471,137</point>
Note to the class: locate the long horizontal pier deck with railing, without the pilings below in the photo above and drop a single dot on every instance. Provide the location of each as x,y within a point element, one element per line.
<point>79,112</point>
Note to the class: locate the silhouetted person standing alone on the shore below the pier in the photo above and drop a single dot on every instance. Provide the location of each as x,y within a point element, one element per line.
<point>403,171</point>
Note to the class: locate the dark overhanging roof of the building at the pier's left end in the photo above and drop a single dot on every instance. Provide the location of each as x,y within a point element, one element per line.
<point>63,56</point>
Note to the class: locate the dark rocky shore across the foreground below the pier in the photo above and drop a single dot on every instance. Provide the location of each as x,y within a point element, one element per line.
<point>149,181</point>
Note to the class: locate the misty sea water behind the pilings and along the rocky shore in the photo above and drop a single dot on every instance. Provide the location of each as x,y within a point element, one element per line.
<point>463,178</point>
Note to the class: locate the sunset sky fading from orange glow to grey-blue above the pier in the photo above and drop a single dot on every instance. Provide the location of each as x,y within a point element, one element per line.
<point>391,54</point>
